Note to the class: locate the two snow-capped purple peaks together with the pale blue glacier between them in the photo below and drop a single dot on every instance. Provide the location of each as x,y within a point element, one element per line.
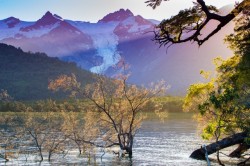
<point>58,37</point>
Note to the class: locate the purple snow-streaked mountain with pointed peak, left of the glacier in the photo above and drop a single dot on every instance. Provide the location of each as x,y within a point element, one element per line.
<point>50,34</point>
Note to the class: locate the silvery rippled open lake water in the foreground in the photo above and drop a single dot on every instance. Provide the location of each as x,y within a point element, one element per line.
<point>157,143</point>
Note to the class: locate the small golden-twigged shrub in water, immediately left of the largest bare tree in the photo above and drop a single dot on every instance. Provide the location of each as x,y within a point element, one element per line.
<point>78,125</point>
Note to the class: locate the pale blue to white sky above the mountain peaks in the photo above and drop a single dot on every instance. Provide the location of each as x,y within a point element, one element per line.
<point>92,10</point>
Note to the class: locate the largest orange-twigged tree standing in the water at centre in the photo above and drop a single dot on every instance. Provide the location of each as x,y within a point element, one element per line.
<point>115,105</point>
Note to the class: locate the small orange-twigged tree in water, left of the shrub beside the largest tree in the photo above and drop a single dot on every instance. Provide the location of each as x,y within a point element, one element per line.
<point>43,124</point>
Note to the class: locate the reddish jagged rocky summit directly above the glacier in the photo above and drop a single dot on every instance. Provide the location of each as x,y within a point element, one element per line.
<point>117,16</point>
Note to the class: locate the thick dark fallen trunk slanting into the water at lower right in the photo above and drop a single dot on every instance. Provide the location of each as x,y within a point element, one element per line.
<point>238,138</point>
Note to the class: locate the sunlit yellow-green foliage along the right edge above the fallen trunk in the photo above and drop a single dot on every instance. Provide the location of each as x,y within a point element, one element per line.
<point>223,103</point>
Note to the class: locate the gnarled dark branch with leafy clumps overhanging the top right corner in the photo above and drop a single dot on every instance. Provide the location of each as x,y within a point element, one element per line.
<point>196,18</point>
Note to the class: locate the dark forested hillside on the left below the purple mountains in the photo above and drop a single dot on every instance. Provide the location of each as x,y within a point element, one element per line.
<point>26,75</point>
